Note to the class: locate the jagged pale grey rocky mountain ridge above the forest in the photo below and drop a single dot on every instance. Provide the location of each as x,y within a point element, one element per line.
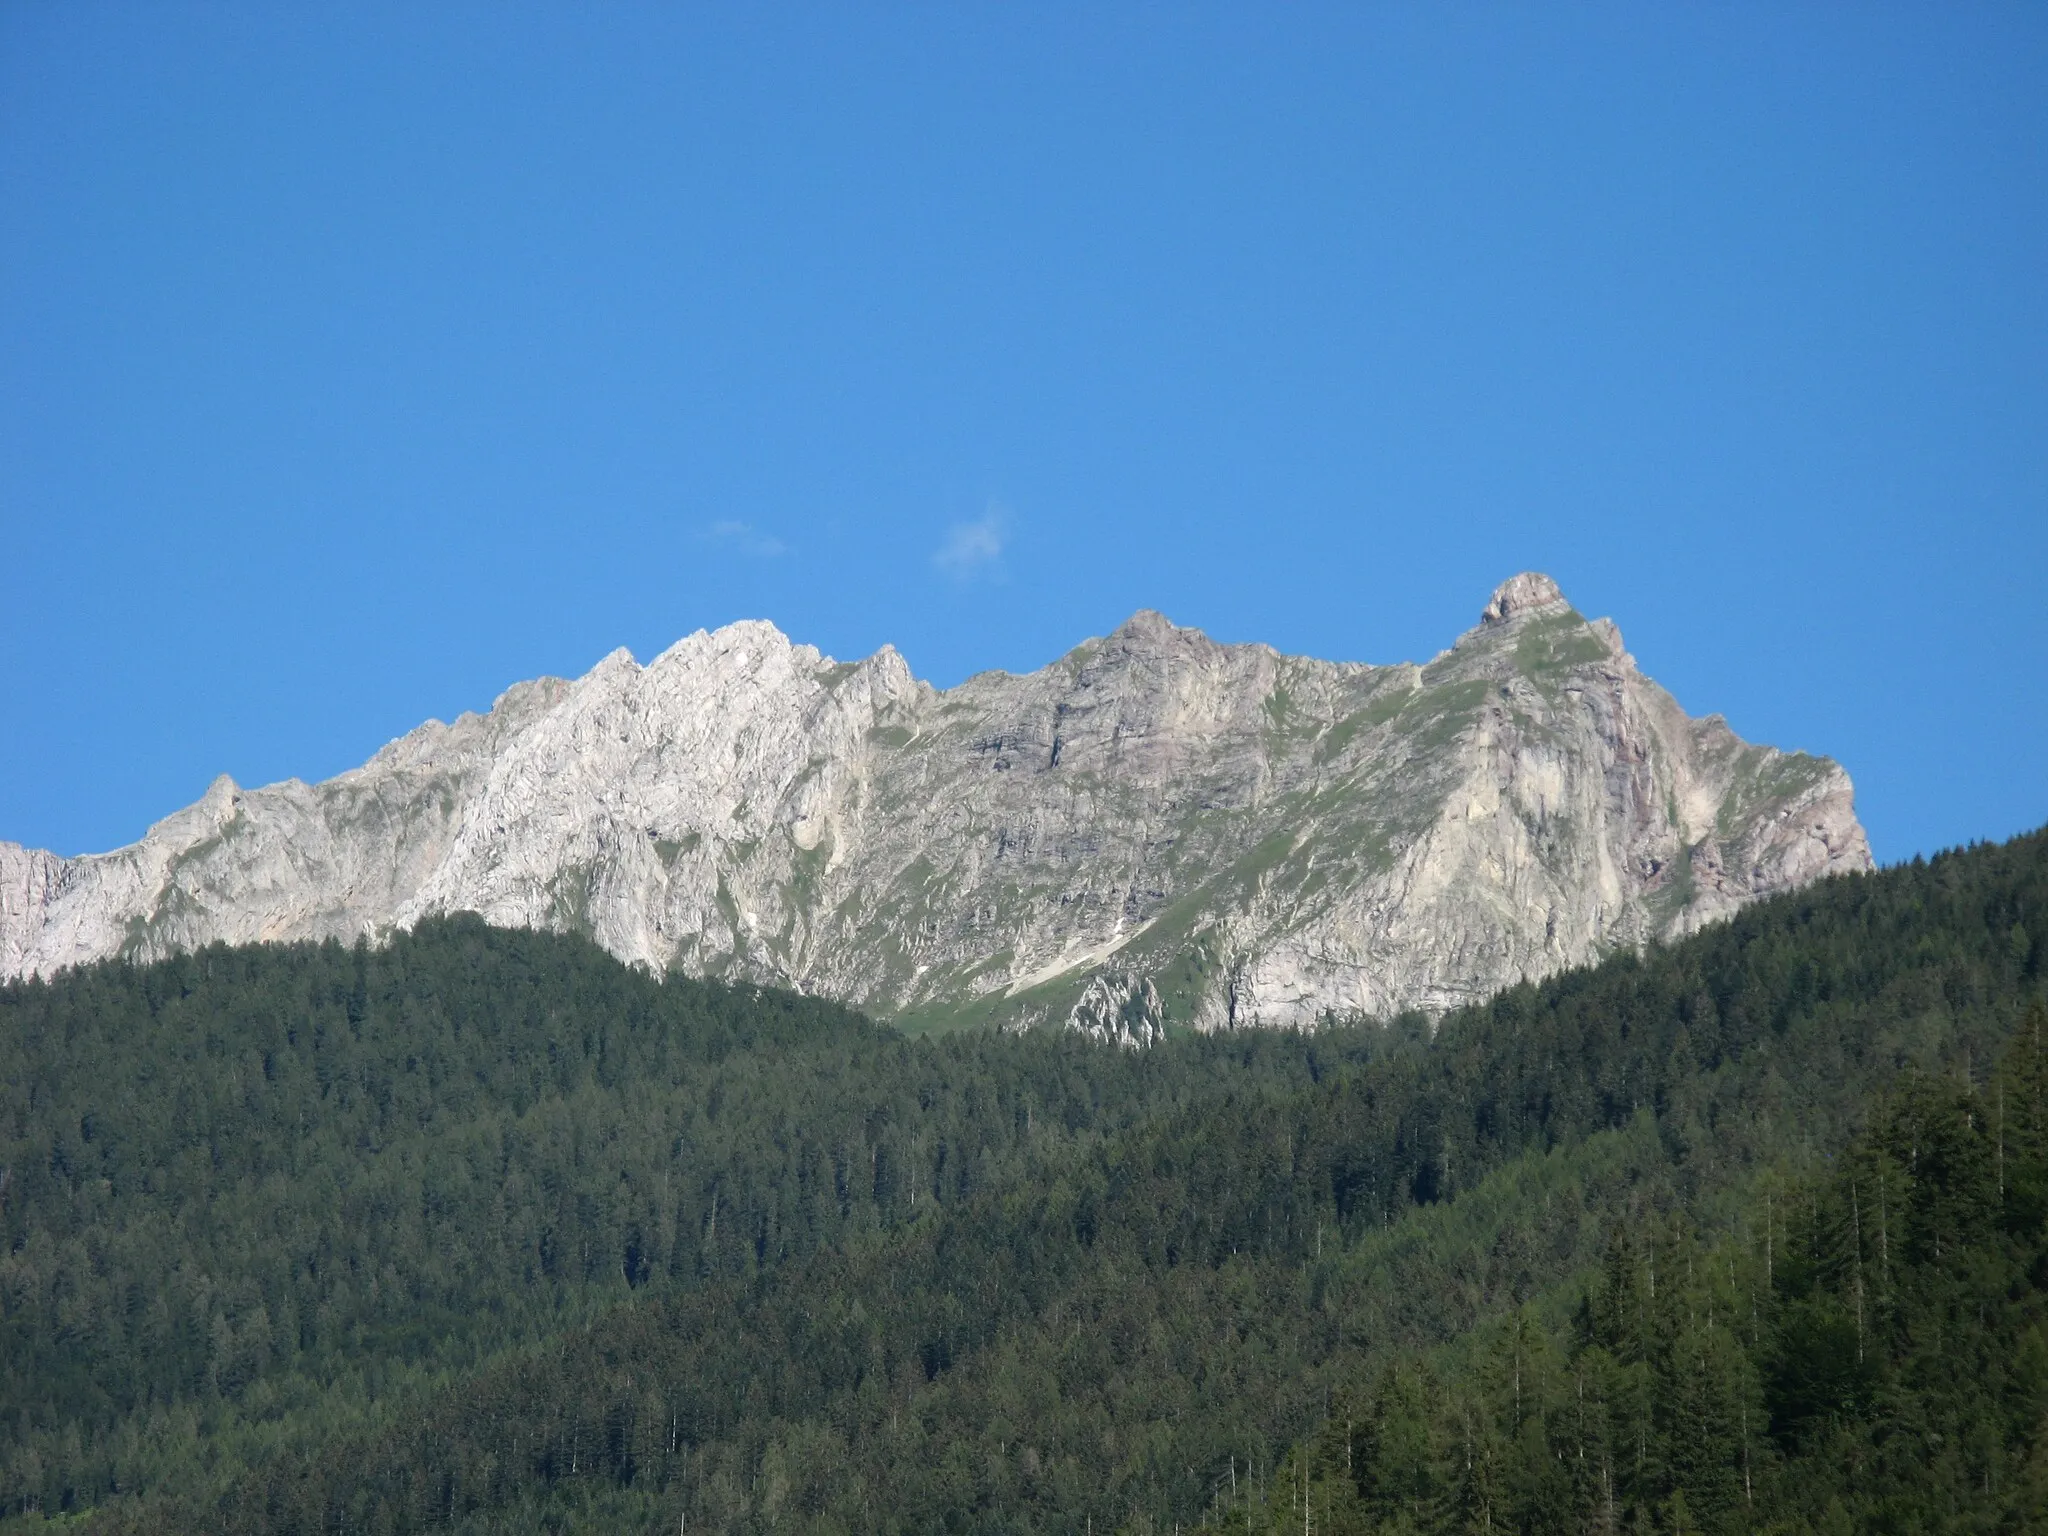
<point>1154,830</point>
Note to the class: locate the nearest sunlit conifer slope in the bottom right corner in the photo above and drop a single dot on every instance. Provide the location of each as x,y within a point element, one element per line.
<point>1867,1351</point>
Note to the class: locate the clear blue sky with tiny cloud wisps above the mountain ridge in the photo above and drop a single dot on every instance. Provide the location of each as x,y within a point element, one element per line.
<point>357,361</point>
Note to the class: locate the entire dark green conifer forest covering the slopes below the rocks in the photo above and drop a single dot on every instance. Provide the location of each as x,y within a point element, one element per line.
<point>486,1232</point>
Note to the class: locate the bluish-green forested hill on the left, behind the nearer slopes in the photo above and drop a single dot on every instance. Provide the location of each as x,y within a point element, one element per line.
<point>259,1193</point>
